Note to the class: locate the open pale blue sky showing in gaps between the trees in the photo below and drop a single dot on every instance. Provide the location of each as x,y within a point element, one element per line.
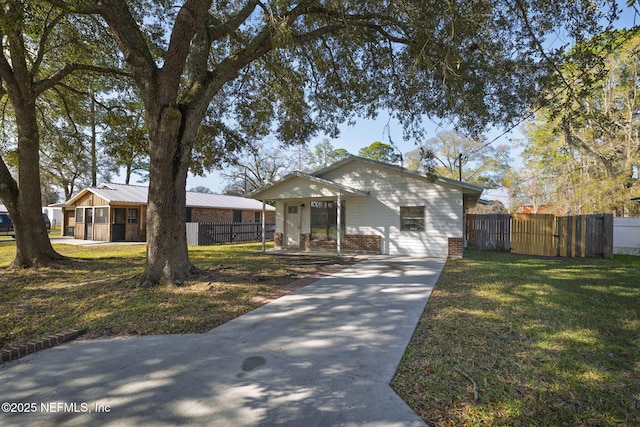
<point>366,131</point>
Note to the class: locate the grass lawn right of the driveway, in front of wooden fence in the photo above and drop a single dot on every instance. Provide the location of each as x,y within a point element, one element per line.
<point>538,341</point>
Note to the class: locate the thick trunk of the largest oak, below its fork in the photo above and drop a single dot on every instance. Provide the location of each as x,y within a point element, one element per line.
<point>167,254</point>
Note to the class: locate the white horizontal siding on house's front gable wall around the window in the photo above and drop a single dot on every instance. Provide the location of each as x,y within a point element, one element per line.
<point>389,189</point>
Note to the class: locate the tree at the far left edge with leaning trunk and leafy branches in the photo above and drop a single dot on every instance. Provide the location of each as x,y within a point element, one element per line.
<point>40,47</point>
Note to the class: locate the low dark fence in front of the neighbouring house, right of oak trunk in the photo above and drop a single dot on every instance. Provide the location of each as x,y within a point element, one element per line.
<point>203,234</point>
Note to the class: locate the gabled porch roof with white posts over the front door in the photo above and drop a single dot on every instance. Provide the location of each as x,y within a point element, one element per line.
<point>302,186</point>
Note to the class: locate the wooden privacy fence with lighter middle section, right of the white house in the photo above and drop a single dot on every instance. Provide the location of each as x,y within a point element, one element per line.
<point>546,235</point>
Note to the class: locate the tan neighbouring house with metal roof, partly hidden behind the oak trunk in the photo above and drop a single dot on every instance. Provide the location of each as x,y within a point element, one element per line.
<point>117,212</point>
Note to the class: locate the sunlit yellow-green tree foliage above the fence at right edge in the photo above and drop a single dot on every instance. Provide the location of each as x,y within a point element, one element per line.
<point>584,147</point>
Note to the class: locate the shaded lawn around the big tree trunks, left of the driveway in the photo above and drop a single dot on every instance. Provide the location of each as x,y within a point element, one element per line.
<point>95,290</point>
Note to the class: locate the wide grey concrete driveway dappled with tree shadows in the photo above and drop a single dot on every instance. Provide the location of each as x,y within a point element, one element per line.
<point>321,356</point>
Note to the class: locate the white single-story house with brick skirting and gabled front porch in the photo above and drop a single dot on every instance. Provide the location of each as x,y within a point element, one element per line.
<point>377,207</point>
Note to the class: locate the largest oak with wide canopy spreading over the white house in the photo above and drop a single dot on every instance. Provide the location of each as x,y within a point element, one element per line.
<point>251,67</point>
